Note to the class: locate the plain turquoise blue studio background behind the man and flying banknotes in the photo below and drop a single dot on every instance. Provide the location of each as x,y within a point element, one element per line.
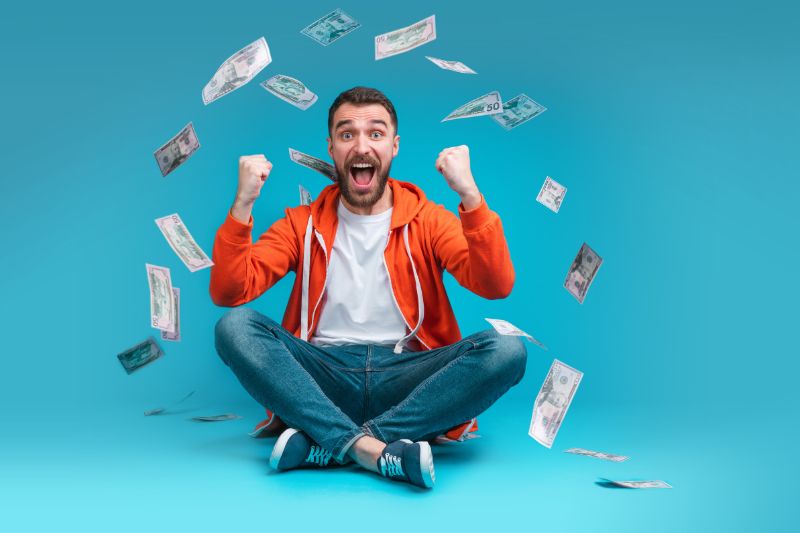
<point>675,128</point>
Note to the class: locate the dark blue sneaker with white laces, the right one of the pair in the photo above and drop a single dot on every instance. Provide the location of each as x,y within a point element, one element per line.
<point>408,461</point>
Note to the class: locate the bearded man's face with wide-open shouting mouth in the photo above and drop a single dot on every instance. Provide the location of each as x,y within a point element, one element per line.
<point>362,144</point>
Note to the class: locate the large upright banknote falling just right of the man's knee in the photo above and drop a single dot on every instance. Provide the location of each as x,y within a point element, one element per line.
<point>553,402</point>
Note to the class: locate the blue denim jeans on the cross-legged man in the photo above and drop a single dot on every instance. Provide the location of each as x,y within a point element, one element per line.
<point>337,394</point>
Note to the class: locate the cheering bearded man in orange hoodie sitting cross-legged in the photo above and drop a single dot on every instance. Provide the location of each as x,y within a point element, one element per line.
<point>368,364</point>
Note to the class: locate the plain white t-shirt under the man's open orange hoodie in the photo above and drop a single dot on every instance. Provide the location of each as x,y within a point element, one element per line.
<point>359,306</point>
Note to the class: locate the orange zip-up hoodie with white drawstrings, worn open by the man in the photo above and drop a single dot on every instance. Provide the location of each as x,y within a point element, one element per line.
<point>424,240</point>
